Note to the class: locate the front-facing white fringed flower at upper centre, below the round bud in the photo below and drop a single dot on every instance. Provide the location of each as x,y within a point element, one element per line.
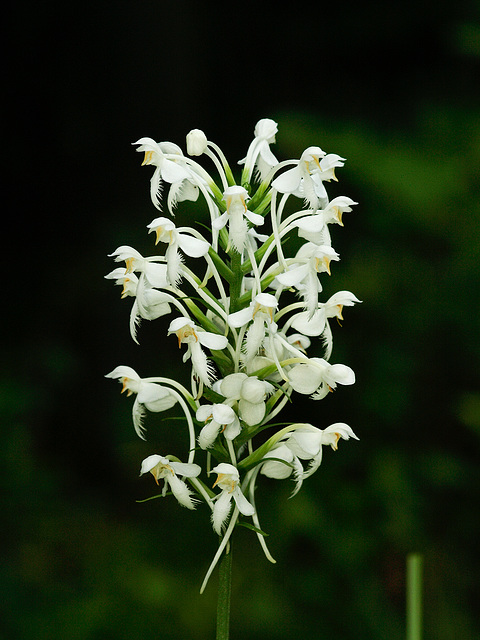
<point>236,215</point>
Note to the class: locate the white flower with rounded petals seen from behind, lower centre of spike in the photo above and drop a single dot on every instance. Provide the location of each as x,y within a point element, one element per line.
<point>249,392</point>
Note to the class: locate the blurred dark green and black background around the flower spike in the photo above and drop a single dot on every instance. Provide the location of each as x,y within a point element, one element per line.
<point>392,88</point>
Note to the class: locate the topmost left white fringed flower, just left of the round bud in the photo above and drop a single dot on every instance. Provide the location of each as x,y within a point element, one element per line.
<point>168,170</point>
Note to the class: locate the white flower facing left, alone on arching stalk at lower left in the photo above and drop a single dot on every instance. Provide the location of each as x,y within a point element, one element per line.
<point>149,395</point>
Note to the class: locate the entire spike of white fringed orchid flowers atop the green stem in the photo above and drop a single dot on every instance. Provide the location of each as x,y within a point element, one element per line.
<point>245,325</point>
